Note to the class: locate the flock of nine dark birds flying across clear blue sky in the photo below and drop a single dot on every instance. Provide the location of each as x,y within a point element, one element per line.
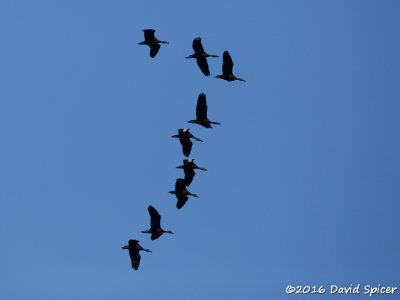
<point>184,136</point>
